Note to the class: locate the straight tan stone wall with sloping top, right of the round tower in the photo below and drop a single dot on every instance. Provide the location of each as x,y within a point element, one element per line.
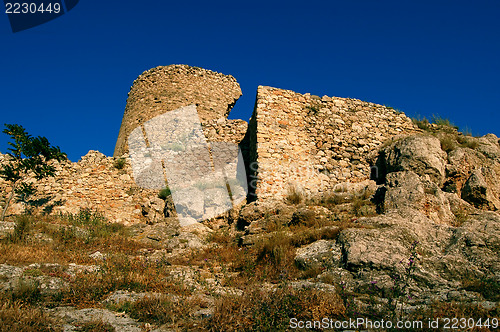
<point>314,143</point>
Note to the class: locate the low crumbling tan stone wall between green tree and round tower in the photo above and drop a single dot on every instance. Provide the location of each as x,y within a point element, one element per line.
<point>93,182</point>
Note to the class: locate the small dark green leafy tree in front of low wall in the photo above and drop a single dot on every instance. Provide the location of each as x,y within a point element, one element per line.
<point>28,157</point>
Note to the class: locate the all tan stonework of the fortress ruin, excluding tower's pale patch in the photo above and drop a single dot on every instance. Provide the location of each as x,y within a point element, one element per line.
<point>292,140</point>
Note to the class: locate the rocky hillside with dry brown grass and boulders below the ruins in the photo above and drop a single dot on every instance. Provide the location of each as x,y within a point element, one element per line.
<point>421,240</point>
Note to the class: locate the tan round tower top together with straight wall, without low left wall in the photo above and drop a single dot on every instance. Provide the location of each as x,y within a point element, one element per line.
<point>292,140</point>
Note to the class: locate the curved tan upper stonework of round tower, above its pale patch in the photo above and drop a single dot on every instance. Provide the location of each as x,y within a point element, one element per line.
<point>167,88</point>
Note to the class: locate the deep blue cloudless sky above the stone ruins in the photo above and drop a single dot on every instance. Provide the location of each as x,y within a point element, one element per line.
<point>68,79</point>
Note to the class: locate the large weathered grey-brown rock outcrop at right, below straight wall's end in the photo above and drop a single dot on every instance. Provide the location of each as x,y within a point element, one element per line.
<point>452,245</point>
